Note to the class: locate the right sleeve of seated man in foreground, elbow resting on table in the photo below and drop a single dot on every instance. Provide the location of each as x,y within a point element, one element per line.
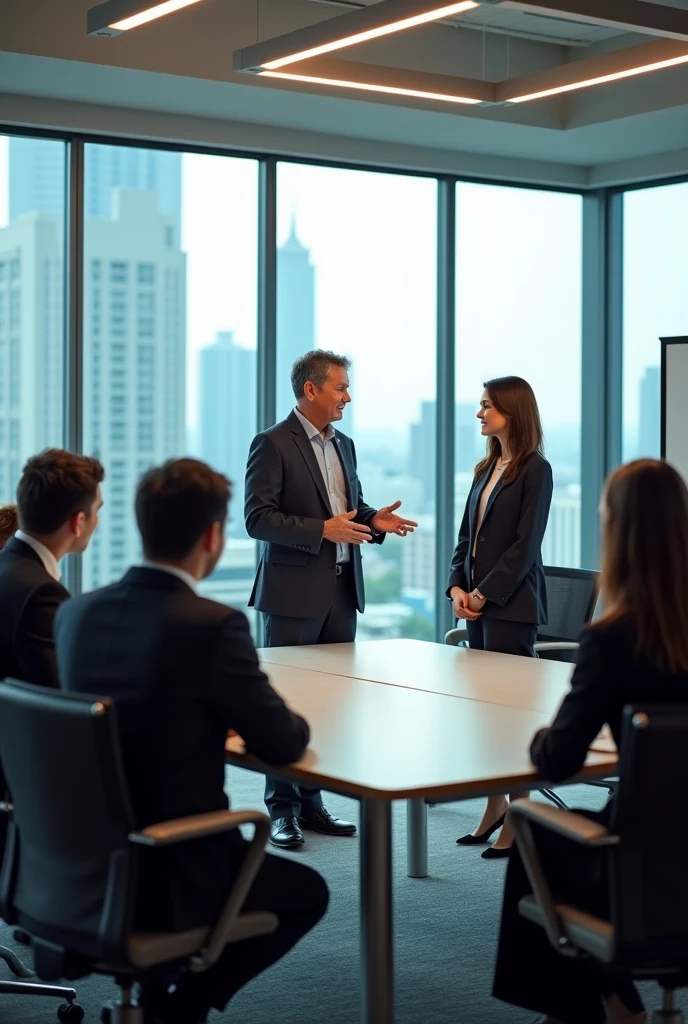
<point>244,698</point>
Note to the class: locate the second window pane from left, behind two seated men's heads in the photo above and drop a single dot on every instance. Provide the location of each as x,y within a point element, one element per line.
<point>170,265</point>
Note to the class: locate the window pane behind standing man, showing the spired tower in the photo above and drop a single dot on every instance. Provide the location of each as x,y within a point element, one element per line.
<point>357,274</point>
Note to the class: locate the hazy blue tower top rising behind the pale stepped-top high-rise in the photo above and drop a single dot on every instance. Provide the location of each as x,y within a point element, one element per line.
<point>37,179</point>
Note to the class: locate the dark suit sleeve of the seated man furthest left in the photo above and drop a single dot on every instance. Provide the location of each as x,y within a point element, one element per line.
<point>35,644</point>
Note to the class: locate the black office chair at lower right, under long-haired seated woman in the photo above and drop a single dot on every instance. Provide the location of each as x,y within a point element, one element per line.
<point>648,932</point>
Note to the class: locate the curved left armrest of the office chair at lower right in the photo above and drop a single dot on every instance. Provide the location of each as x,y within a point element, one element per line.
<point>522,815</point>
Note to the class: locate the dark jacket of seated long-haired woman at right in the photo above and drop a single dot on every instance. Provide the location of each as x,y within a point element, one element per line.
<point>609,676</point>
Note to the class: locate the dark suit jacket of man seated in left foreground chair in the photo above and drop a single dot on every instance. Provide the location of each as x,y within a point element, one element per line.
<point>183,671</point>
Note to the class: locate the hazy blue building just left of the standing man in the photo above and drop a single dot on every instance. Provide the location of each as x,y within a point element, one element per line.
<point>228,415</point>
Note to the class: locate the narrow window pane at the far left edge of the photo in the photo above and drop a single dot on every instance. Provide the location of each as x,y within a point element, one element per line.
<point>32,302</point>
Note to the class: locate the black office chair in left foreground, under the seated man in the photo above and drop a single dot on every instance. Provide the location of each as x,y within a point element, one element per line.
<point>69,876</point>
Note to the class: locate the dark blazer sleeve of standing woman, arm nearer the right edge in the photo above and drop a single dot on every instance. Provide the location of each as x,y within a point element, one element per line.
<point>510,572</point>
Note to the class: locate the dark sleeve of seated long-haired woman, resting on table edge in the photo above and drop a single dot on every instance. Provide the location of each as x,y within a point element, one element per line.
<point>561,751</point>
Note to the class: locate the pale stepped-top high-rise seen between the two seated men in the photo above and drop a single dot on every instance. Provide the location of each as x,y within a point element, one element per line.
<point>135,363</point>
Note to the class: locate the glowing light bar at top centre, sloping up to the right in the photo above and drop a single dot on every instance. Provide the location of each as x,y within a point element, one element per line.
<point>347,30</point>
